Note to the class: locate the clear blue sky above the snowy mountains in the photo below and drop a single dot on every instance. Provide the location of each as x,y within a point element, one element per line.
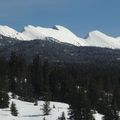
<point>80,16</point>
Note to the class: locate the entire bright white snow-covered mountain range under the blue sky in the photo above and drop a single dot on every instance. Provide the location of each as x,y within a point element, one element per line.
<point>61,34</point>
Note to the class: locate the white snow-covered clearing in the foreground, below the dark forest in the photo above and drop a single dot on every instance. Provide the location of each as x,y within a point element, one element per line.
<point>27,111</point>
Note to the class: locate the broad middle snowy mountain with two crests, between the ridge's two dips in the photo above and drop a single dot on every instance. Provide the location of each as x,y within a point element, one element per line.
<point>59,33</point>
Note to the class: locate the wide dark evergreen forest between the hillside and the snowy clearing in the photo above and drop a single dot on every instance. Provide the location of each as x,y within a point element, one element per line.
<point>87,87</point>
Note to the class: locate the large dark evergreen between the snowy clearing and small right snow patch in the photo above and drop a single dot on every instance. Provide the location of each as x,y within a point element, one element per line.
<point>80,108</point>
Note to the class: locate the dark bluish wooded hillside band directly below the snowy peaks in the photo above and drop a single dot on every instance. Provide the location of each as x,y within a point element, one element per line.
<point>56,52</point>
